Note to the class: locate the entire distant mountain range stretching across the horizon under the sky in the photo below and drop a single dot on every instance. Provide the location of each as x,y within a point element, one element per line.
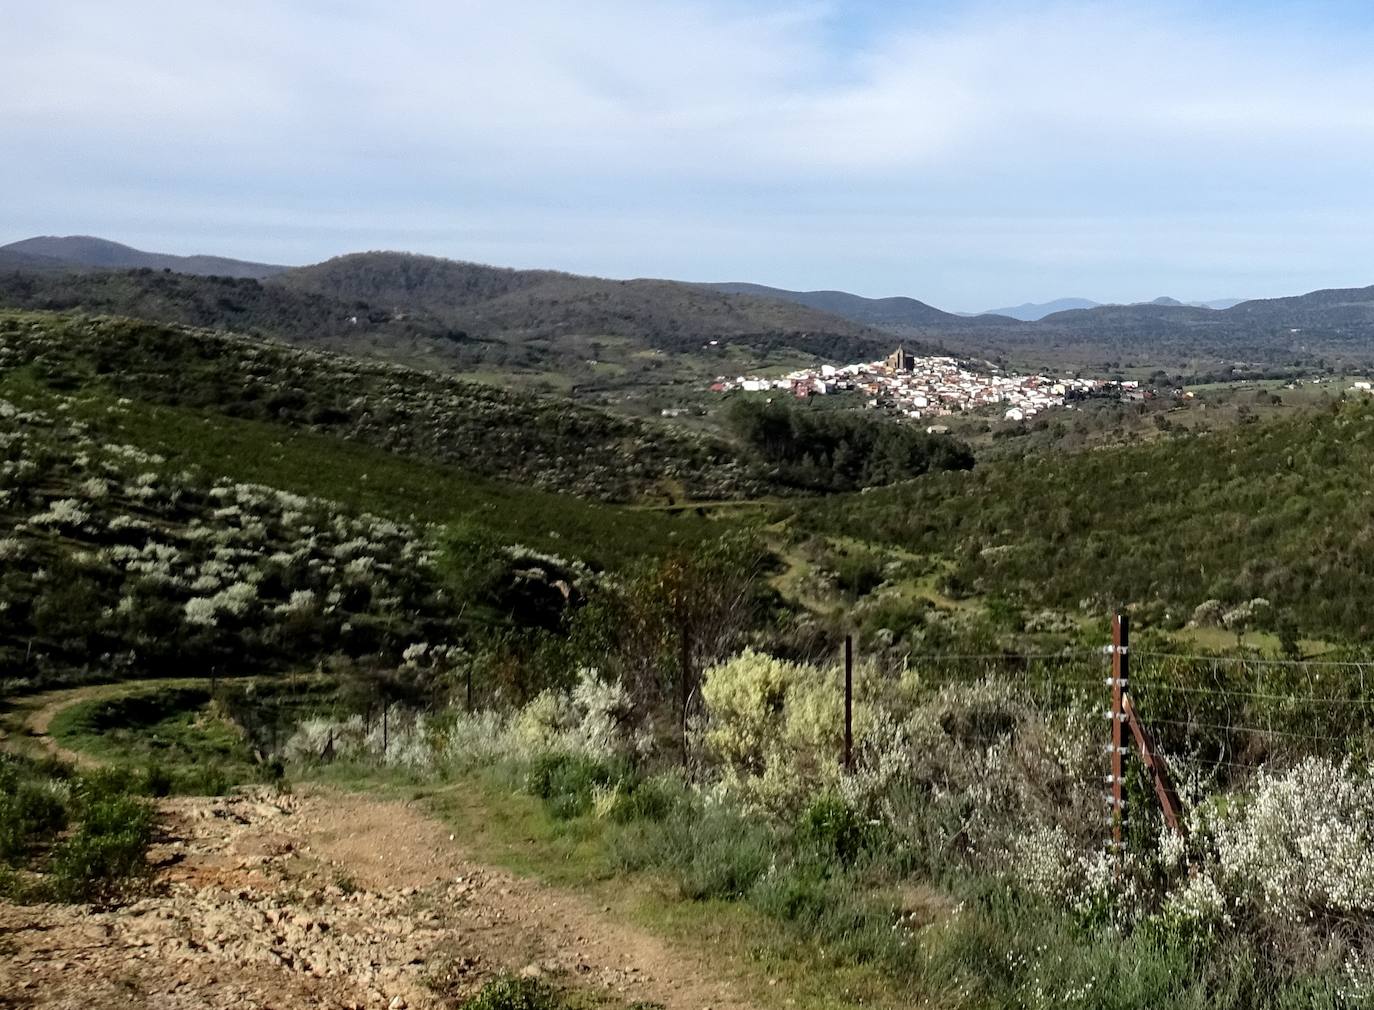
<point>431,310</point>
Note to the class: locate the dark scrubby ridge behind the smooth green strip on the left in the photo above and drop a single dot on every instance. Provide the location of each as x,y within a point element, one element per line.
<point>549,445</point>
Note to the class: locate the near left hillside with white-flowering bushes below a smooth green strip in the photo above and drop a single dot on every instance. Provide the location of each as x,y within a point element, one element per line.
<point>145,532</point>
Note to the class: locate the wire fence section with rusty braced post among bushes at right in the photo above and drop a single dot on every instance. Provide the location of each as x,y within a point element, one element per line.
<point>1184,719</point>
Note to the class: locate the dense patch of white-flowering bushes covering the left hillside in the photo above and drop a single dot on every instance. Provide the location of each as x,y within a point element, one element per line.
<point>230,559</point>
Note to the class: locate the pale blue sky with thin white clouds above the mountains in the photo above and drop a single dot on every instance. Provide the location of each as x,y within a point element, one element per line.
<point>968,155</point>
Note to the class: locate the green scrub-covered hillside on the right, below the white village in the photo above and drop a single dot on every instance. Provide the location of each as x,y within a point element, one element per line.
<point>1279,512</point>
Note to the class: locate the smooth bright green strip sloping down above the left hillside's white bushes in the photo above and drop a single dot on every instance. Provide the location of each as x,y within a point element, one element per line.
<point>366,479</point>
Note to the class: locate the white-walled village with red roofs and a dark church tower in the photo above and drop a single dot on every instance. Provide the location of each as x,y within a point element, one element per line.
<point>931,387</point>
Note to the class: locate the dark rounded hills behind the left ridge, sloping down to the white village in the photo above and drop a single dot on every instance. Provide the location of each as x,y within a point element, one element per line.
<point>429,310</point>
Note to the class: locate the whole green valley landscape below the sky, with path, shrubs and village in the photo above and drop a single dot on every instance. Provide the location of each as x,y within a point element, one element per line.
<point>365,671</point>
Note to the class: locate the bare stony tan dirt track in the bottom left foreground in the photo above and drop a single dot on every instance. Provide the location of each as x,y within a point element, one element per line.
<point>329,899</point>
